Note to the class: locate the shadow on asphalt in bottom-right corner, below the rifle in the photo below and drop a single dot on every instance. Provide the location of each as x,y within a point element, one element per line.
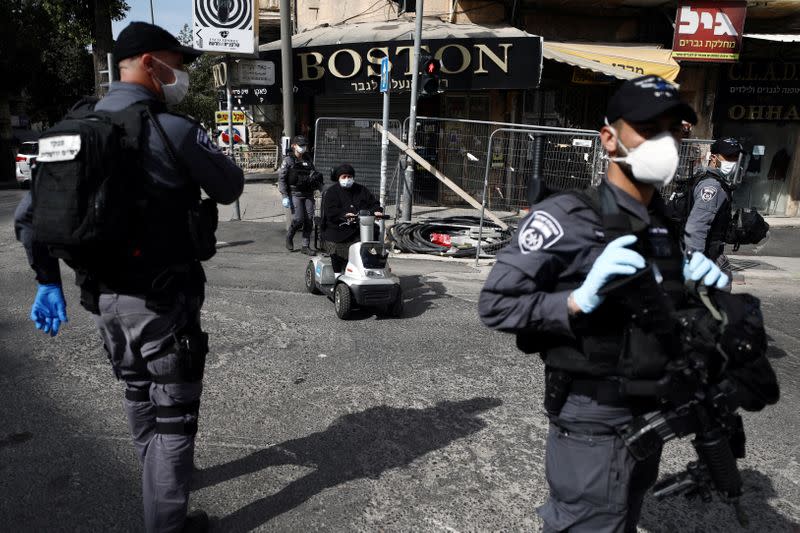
<point>678,514</point>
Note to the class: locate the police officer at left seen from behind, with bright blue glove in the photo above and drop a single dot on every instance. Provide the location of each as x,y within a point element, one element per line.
<point>147,305</point>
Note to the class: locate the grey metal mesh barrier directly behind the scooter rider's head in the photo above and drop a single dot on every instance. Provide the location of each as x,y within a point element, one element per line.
<point>355,141</point>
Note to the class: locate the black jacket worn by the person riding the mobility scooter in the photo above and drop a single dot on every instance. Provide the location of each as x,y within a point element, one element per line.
<point>338,201</point>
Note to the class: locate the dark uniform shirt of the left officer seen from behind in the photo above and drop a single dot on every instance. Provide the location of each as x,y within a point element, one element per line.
<point>203,163</point>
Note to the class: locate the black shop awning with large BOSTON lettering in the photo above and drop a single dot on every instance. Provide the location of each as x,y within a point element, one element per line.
<point>337,69</point>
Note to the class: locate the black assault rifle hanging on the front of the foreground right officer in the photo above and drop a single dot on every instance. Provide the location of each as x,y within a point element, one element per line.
<point>696,395</point>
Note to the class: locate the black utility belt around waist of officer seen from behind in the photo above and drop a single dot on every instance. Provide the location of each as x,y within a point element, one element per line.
<point>160,292</point>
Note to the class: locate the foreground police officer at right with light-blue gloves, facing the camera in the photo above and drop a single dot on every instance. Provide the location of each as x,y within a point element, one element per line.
<point>546,288</point>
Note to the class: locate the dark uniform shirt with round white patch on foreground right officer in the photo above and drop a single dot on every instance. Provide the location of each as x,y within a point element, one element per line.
<point>558,241</point>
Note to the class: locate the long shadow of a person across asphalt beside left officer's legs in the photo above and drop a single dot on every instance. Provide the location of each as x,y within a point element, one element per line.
<point>356,445</point>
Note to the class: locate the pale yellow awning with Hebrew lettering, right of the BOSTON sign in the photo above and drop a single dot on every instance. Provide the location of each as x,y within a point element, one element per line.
<point>624,62</point>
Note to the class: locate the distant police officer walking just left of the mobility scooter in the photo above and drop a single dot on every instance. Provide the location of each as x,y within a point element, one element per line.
<point>297,182</point>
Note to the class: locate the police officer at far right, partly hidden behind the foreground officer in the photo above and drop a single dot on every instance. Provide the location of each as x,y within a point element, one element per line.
<point>710,215</point>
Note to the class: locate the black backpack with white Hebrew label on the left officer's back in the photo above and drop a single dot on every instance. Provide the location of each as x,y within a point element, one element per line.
<point>85,180</point>
